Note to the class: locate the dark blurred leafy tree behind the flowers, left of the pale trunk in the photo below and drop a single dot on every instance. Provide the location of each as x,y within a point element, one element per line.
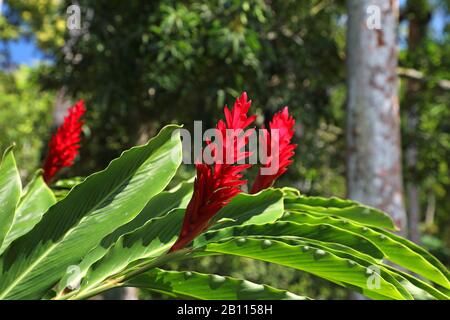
<point>141,65</point>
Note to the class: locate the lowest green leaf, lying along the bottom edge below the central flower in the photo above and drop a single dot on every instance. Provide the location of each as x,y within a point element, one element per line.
<point>194,285</point>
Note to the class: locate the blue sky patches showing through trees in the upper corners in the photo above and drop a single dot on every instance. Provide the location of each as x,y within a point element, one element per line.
<point>25,51</point>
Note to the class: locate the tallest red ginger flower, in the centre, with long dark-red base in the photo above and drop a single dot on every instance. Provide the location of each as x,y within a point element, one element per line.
<point>216,184</point>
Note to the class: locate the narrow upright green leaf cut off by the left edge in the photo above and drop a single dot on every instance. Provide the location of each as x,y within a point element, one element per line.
<point>10,189</point>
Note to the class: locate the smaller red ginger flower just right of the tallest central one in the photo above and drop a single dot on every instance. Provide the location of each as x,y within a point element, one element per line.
<point>284,123</point>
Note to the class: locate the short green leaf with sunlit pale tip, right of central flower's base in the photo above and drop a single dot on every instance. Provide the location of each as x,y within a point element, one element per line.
<point>245,209</point>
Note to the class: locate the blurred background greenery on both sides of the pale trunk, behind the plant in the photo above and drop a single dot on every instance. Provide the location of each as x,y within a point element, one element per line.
<point>142,64</point>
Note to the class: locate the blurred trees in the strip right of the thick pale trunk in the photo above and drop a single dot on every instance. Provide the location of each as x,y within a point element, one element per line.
<point>425,118</point>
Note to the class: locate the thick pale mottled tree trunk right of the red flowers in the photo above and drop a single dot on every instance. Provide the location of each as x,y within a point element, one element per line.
<point>374,171</point>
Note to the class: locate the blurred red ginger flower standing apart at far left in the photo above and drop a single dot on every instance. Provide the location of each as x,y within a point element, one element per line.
<point>64,145</point>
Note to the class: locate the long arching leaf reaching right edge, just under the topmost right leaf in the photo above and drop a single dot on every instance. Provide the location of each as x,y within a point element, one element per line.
<point>396,249</point>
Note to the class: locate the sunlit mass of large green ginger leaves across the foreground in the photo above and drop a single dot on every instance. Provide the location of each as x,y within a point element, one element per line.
<point>115,228</point>
